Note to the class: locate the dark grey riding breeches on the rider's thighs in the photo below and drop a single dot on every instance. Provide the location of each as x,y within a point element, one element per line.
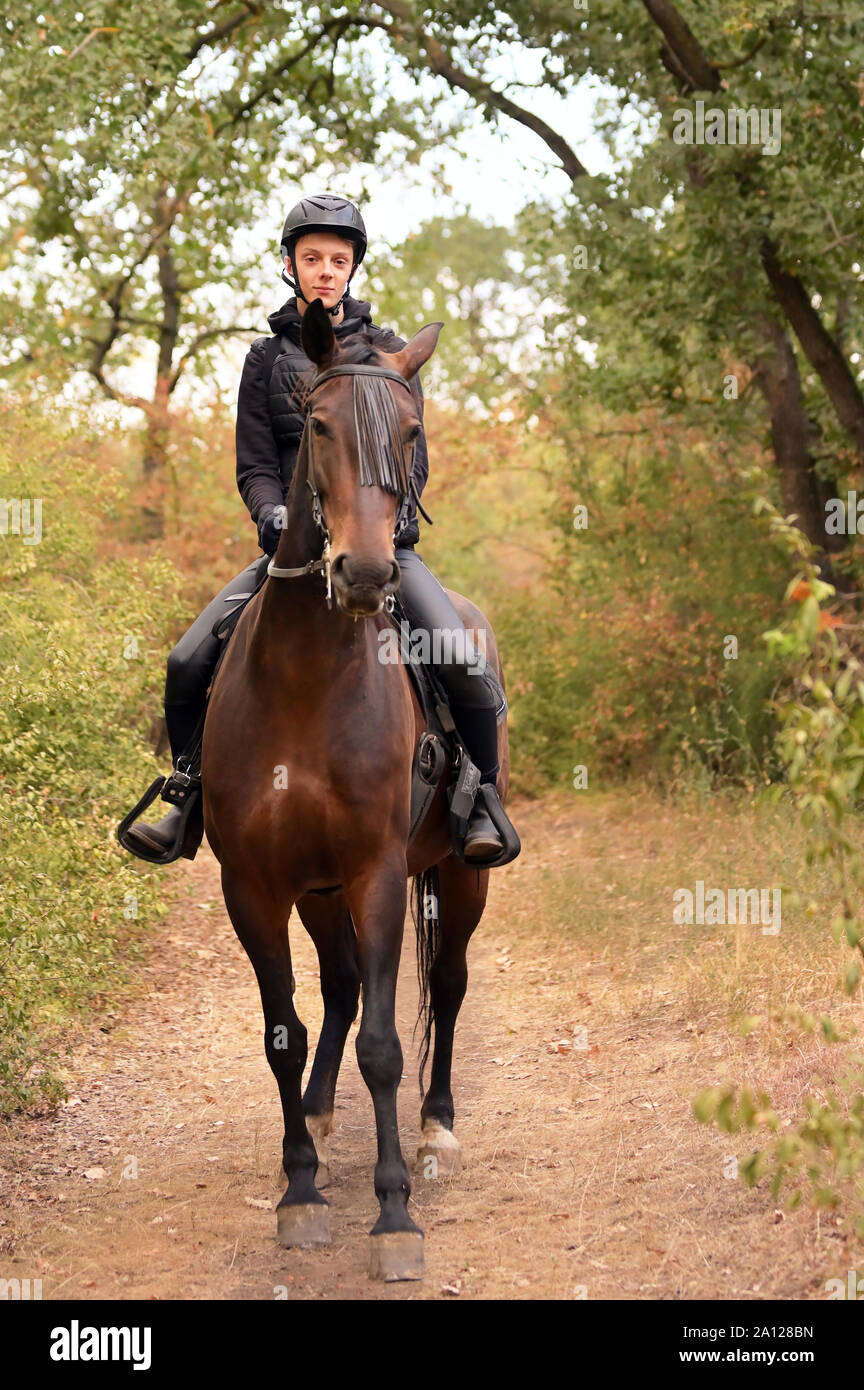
<point>458,654</point>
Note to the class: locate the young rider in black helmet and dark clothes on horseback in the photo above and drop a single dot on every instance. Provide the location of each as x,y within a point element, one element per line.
<point>323,244</point>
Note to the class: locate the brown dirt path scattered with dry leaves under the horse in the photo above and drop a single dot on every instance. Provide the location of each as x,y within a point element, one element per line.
<point>585,1175</point>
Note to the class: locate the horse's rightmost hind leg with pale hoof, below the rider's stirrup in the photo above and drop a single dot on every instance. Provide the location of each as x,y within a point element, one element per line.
<point>462,901</point>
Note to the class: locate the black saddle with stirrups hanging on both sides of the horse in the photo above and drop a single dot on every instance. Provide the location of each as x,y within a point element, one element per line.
<point>440,749</point>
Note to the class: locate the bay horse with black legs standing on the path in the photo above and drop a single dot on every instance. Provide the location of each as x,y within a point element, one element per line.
<point>306,776</point>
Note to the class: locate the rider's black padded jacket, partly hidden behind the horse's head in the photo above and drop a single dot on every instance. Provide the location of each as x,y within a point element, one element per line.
<point>270,423</point>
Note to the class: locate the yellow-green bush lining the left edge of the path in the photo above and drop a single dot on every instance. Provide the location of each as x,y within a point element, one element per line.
<point>83,647</point>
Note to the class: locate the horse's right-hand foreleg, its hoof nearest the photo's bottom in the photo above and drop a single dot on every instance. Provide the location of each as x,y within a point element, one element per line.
<point>377,901</point>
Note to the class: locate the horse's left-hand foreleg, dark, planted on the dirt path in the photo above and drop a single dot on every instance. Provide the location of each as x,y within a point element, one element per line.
<point>262,926</point>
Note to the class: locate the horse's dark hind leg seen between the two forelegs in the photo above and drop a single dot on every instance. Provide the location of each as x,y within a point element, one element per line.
<point>330,925</point>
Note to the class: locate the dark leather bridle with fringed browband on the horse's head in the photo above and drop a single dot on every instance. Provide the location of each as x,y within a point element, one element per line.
<point>380,464</point>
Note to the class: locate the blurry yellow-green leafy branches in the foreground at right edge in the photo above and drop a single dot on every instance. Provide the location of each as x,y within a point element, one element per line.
<point>820,712</point>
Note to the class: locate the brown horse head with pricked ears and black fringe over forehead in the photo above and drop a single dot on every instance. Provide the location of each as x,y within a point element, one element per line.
<point>358,451</point>
